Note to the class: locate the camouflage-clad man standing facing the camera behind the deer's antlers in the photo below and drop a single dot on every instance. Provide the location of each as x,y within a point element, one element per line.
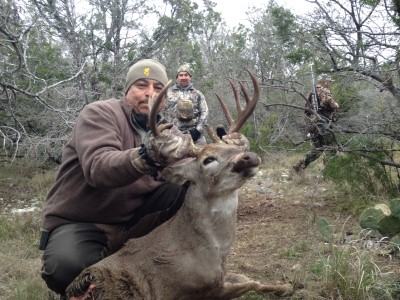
<point>186,107</point>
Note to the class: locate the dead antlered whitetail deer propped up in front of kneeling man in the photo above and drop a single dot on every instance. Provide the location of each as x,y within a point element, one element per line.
<point>184,258</point>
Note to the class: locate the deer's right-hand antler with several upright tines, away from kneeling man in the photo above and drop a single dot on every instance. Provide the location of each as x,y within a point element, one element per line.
<point>243,114</point>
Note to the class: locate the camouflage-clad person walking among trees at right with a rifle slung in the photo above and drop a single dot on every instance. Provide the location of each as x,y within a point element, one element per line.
<point>320,126</point>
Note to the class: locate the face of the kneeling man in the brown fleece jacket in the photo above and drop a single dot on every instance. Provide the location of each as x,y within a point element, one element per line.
<point>139,93</point>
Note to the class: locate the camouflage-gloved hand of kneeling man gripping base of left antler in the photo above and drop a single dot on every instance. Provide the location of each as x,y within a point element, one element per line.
<point>169,146</point>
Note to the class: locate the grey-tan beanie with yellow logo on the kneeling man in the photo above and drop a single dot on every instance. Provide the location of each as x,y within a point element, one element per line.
<point>146,69</point>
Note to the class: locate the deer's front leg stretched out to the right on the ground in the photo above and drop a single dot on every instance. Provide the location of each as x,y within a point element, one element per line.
<point>236,284</point>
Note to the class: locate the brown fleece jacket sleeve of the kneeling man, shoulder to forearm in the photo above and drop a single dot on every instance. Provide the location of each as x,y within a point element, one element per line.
<point>99,140</point>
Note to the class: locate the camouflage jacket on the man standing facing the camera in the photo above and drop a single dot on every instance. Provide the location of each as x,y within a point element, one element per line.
<point>186,108</point>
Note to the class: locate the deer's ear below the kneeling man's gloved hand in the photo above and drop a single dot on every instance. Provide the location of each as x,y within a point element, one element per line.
<point>179,172</point>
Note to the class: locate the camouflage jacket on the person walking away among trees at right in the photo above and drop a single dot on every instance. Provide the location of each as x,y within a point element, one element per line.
<point>328,105</point>
